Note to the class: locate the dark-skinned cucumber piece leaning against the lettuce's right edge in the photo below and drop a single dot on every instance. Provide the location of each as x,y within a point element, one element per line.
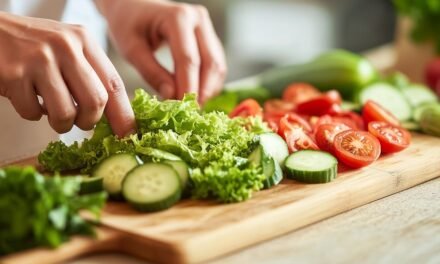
<point>271,168</point>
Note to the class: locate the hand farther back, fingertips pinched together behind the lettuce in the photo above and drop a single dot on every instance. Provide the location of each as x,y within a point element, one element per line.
<point>139,27</point>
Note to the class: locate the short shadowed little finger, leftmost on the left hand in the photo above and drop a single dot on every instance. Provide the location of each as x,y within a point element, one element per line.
<point>25,101</point>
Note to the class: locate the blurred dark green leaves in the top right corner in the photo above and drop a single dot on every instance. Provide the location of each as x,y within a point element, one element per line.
<point>425,15</point>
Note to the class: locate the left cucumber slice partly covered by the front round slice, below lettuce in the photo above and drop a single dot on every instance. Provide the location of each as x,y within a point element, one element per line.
<point>113,170</point>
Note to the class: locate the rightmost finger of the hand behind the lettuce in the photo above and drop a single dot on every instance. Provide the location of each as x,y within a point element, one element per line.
<point>213,65</point>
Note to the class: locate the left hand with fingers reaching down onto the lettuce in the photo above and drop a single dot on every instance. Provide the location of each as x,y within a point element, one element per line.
<point>67,69</point>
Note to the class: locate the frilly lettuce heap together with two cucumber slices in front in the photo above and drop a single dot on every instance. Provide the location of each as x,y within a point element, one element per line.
<point>211,146</point>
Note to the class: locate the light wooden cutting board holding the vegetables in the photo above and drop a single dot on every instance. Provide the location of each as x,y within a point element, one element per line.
<point>194,231</point>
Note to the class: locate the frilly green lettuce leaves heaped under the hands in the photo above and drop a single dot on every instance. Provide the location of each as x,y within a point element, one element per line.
<point>215,146</point>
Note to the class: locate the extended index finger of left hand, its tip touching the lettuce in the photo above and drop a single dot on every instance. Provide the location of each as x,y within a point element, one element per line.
<point>118,109</point>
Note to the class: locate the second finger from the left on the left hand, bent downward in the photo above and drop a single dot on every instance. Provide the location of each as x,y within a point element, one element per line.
<point>57,99</point>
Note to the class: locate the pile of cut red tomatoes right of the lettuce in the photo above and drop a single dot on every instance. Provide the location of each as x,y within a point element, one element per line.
<point>308,119</point>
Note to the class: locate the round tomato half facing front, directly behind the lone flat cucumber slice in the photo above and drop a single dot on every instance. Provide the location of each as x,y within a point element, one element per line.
<point>356,148</point>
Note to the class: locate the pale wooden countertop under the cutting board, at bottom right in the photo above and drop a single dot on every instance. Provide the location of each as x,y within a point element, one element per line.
<point>402,228</point>
